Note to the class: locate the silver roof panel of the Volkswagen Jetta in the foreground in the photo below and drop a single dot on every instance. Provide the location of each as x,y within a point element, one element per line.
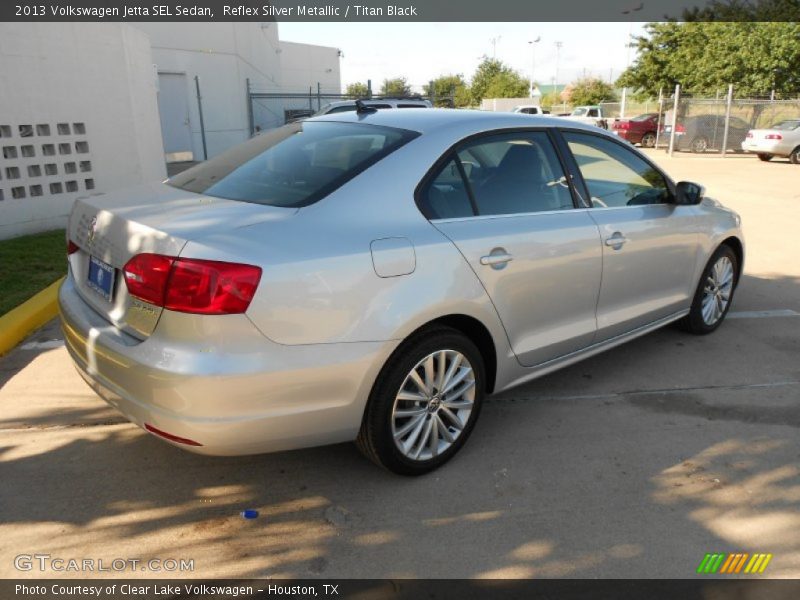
<point>427,121</point>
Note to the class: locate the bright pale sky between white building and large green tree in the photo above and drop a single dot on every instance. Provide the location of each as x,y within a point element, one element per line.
<point>423,51</point>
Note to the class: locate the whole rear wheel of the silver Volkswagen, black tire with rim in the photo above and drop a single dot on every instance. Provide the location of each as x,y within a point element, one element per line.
<point>389,440</point>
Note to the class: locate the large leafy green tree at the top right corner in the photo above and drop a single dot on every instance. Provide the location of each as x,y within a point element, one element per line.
<point>706,57</point>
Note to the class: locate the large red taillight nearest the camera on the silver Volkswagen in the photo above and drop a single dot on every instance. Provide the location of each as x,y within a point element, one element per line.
<point>192,285</point>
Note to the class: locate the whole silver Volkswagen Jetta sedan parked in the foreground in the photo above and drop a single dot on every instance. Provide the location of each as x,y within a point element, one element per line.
<point>373,276</point>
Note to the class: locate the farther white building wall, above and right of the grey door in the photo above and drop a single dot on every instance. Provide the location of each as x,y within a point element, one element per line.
<point>224,56</point>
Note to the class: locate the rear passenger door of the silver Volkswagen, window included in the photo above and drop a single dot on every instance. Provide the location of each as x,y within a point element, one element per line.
<point>504,201</point>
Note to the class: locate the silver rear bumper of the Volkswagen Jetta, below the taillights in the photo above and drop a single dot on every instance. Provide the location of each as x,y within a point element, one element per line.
<point>235,392</point>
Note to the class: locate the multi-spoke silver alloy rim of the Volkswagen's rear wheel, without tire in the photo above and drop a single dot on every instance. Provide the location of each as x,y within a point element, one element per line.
<point>433,405</point>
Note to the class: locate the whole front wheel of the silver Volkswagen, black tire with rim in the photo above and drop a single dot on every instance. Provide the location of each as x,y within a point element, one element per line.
<point>713,289</point>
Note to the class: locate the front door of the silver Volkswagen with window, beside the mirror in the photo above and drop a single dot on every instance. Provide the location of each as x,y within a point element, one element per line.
<point>650,244</point>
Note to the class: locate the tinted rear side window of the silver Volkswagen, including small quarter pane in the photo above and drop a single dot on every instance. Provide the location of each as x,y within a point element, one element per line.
<point>513,173</point>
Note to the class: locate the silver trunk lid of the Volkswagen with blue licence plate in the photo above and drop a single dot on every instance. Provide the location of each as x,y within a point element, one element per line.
<point>109,229</point>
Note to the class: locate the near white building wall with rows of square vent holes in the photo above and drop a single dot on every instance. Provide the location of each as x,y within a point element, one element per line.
<point>98,75</point>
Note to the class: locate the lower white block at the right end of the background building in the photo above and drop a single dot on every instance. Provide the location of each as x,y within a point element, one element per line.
<point>305,65</point>
